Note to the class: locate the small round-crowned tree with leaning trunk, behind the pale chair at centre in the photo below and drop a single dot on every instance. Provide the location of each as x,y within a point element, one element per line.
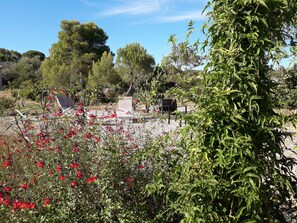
<point>134,63</point>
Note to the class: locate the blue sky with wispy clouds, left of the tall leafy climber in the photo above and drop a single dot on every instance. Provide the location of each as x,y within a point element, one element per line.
<point>34,24</point>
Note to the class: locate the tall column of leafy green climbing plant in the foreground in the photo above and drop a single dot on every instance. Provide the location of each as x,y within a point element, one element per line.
<point>234,168</point>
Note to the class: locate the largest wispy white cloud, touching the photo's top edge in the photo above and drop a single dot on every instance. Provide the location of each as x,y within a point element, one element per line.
<point>135,7</point>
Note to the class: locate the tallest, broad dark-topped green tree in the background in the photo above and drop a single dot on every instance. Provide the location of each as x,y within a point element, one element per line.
<point>71,58</point>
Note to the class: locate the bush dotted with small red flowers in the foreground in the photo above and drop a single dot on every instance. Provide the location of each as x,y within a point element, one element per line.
<point>77,170</point>
